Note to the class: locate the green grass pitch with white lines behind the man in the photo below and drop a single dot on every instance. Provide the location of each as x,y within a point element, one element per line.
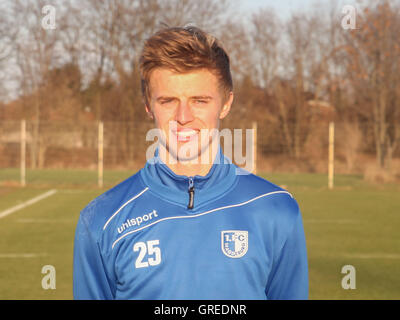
<point>355,224</point>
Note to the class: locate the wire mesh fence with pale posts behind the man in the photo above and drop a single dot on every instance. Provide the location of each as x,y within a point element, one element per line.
<point>28,145</point>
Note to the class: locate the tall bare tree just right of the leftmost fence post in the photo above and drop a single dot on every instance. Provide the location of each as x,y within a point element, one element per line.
<point>35,54</point>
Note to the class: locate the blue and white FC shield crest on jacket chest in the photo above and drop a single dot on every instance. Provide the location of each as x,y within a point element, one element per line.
<point>234,243</point>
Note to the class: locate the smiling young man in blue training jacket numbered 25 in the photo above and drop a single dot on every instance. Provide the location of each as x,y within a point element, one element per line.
<point>190,225</point>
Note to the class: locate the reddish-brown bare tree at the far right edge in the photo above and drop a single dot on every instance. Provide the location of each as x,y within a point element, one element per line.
<point>373,67</point>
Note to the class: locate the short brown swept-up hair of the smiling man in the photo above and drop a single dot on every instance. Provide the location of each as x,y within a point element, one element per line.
<point>184,49</point>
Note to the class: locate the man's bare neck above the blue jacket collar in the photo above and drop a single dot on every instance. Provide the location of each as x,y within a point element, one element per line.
<point>196,166</point>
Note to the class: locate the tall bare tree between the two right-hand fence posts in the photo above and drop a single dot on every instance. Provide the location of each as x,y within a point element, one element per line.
<point>293,88</point>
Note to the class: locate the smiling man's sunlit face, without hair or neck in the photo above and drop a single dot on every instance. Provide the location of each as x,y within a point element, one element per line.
<point>183,105</point>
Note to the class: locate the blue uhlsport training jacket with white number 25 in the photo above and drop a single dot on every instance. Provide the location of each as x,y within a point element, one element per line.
<point>159,235</point>
